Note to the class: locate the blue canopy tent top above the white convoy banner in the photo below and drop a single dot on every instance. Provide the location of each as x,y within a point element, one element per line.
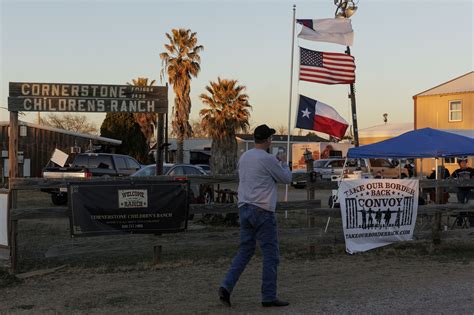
<point>421,143</point>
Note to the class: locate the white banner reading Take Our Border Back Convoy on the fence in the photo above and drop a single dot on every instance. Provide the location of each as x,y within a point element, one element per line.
<point>377,212</point>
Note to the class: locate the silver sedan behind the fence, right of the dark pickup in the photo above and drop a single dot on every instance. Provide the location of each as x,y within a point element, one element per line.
<point>200,193</point>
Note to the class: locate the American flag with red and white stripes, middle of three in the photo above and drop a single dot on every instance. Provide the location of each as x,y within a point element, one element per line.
<point>326,68</point>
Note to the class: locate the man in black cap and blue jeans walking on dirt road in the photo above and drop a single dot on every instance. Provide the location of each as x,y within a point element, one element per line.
<point>259,173</point>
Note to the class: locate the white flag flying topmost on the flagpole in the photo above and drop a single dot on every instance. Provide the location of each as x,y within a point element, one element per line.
<point>338,31</point>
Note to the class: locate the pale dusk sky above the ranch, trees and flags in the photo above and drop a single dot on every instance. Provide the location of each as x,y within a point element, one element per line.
<point>401,48</point>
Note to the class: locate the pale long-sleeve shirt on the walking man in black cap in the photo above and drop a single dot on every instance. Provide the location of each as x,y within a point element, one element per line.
<point>259,173</point>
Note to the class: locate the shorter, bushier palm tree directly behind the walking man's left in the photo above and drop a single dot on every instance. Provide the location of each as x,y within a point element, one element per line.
<point>228,113</point>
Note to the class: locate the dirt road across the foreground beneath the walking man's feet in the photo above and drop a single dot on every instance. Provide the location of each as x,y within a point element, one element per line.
<point>330,285</point>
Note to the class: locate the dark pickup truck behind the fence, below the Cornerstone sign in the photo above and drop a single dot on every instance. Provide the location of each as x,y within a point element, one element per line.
<point>87,165</point>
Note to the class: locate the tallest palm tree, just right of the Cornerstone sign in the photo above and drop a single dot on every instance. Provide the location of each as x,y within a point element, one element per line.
<point>181,61</point>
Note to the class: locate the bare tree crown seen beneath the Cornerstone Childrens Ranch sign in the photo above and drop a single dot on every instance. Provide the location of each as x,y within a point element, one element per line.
<point>71,122</point>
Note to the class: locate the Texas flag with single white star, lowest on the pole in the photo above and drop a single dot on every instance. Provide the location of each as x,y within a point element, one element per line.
<point>315,115</point>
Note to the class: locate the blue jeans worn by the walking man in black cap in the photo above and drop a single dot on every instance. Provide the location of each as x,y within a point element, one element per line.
<point>256,224</point>
